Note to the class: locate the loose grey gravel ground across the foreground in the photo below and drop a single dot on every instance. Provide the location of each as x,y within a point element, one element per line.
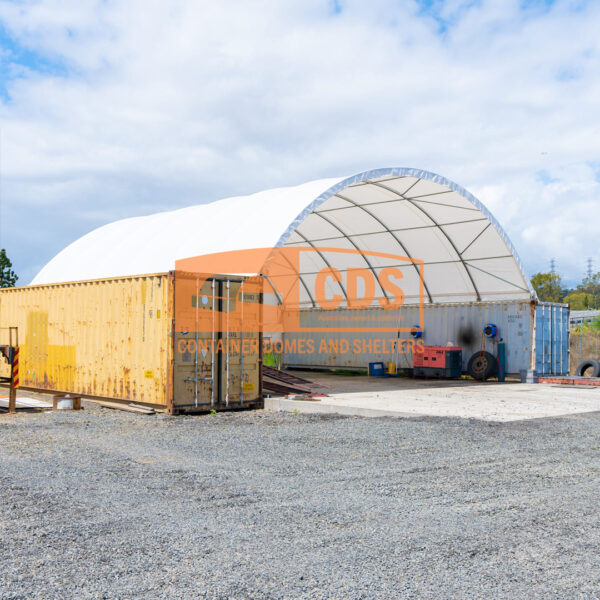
<point>106,504</point>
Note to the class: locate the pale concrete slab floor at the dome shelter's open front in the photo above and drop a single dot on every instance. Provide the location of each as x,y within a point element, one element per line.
<point>402,397</point>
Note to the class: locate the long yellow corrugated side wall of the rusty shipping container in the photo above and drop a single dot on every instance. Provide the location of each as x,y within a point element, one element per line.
<point>109,338</point>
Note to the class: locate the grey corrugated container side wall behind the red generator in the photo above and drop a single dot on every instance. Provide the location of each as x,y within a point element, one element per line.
<point>443,324</point>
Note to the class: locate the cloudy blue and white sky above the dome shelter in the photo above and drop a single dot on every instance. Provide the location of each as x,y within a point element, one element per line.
<point>111,109</point>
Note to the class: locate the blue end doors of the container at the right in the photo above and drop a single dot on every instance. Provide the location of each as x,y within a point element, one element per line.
<point>552,339</point>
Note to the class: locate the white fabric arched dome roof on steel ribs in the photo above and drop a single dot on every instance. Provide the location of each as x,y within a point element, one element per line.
<point>401,211</point>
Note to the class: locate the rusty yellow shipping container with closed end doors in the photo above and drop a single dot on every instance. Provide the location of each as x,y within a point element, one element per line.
<point>151,339</point>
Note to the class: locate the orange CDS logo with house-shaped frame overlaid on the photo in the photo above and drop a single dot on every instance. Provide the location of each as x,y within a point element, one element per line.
<point>270,290</point>
